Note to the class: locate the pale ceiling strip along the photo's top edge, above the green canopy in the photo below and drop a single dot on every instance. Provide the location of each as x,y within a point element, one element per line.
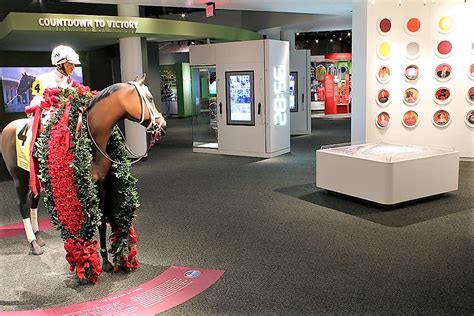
<point>339,7</point>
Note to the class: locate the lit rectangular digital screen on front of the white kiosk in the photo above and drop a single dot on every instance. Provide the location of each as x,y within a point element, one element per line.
<point>240,98</point>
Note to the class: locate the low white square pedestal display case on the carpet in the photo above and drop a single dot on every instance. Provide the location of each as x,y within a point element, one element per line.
<point>387,173</point>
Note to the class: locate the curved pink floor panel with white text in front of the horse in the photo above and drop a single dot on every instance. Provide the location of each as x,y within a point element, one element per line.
<point>174,286</point>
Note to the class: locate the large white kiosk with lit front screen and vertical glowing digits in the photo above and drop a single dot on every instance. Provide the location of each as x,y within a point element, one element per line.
<point>249,113</point>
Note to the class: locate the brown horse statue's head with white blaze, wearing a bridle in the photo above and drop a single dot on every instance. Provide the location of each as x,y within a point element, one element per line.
<point>153,120</point>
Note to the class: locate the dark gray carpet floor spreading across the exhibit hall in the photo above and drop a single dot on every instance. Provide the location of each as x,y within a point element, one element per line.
<point>287,247</point>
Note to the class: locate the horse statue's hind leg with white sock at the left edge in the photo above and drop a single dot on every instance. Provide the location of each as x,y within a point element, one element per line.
<point>21,181</point>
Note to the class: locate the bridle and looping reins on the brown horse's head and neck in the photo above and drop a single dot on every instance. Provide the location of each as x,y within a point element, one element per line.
<point>153,128</point>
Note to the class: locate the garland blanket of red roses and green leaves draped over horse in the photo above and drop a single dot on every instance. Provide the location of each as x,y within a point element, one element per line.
<point>64,156</point>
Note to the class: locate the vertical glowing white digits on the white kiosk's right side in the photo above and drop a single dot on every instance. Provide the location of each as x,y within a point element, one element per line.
<point>280,96</point>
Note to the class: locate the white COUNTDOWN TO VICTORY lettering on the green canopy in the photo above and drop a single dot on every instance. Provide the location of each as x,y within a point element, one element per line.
<point>89,23</point>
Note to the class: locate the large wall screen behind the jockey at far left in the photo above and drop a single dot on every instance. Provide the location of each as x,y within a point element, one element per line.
<point>17,81</point>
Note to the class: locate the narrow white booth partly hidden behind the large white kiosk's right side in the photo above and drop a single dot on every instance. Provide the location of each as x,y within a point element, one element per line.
<point>300,107</point>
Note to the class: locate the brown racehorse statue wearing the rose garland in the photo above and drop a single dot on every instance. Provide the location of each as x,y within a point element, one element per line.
<point>130,100</point>
